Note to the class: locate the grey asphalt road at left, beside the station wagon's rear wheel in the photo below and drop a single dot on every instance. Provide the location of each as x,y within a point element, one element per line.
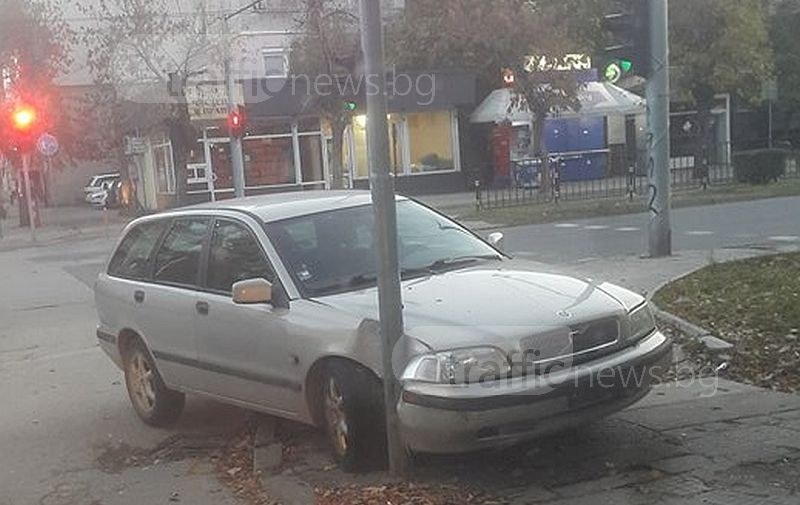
<point>68,435</point>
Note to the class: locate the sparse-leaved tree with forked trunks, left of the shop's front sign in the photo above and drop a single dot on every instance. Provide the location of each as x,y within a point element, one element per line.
<point>149,46</point>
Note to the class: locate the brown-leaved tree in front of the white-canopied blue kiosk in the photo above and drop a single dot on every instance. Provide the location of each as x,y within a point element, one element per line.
<point>485,37</point>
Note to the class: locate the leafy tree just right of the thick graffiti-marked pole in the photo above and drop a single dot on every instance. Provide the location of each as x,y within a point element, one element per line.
<point>718,46</point>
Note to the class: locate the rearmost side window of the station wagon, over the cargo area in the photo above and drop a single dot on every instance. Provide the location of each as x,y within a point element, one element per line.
<point>132,258</point>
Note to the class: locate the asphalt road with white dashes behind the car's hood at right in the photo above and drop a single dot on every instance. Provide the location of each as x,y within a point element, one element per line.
<point>755,224</point>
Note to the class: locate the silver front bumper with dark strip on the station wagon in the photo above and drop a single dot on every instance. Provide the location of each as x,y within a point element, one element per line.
<point>442,418</point>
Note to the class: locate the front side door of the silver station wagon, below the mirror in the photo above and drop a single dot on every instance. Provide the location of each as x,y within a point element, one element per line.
<point>245,350</point>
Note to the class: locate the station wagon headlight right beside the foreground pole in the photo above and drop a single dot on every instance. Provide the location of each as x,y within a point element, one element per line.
<point>459,366</point>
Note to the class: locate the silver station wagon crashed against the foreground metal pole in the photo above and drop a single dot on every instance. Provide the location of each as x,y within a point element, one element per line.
<point>270,303</point>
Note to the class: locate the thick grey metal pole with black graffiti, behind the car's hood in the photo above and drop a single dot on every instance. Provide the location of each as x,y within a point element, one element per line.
<point>659,227</point>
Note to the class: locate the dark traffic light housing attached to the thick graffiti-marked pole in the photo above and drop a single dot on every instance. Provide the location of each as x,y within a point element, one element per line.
<point>629,50</point>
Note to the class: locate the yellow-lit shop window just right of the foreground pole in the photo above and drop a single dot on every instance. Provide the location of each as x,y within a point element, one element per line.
<point>430,136</point>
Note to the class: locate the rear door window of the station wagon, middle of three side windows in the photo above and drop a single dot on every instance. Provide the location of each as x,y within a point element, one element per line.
<point>178,259</point>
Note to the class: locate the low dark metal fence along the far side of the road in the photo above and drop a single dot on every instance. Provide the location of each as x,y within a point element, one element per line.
<point>528,184</point>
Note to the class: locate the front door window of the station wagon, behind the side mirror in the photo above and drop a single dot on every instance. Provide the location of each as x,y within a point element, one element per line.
<point>235,255</point>
